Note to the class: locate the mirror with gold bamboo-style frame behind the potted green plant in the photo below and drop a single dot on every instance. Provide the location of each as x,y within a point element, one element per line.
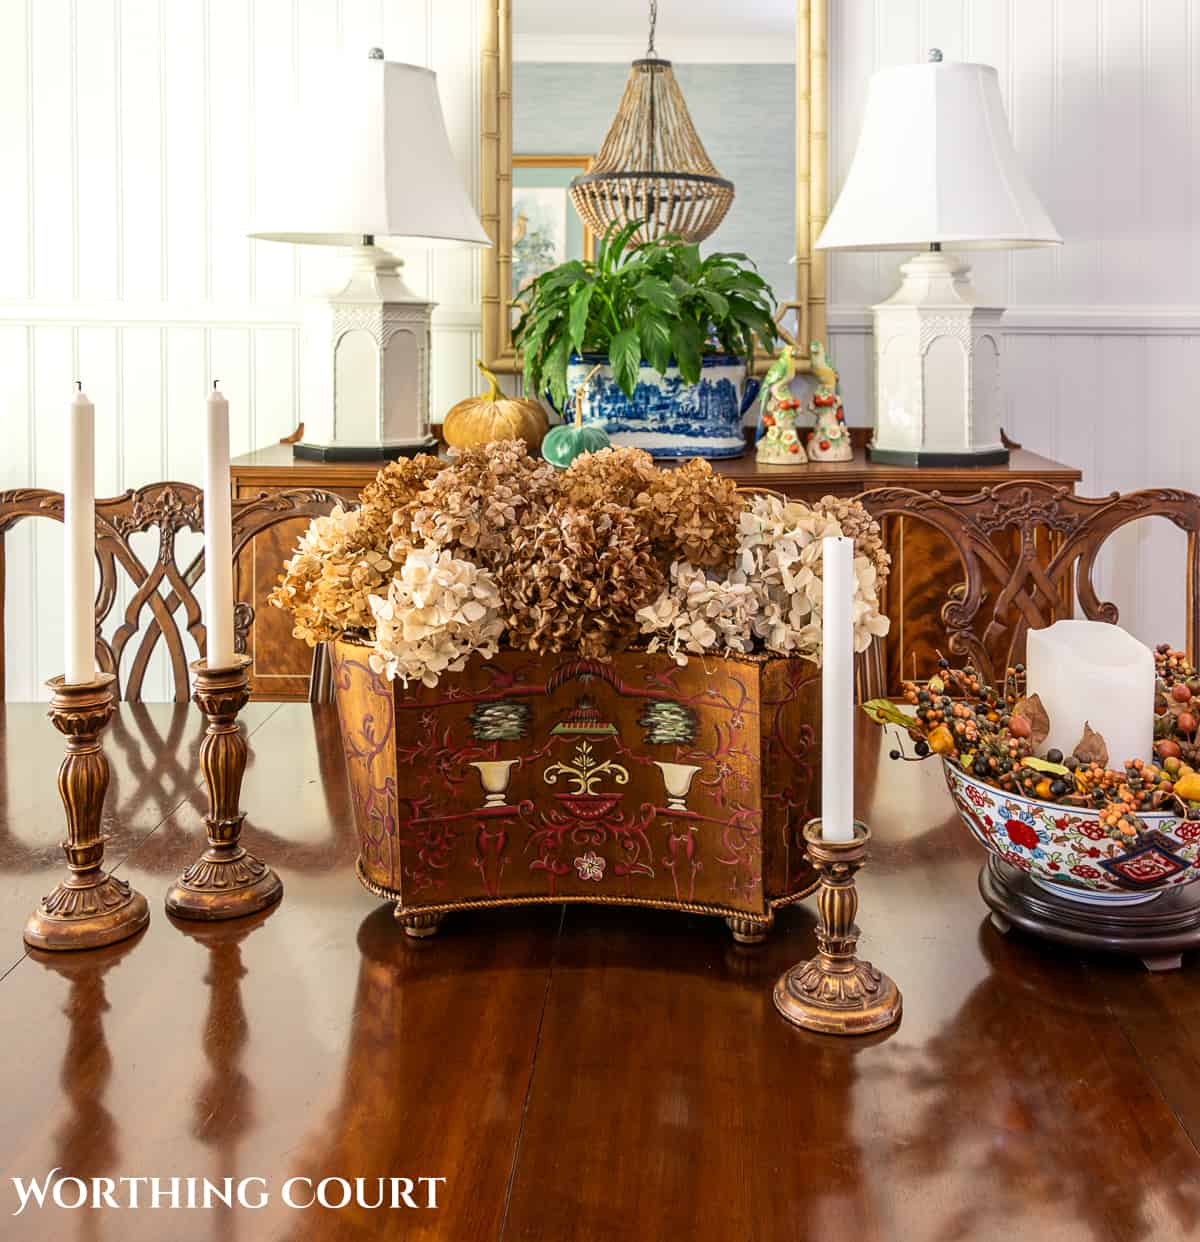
<point>755,86</point>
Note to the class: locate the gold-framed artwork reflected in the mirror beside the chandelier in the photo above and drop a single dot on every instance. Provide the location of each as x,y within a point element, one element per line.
<point>547,230</point>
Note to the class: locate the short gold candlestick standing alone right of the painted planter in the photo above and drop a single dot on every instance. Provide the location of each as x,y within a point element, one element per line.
<point>835,993</point>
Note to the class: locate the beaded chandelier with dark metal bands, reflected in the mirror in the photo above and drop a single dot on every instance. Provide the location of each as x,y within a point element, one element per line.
<point>653,166</point>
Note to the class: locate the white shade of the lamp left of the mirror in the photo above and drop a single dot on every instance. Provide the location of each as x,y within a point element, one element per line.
<point>367,156</point>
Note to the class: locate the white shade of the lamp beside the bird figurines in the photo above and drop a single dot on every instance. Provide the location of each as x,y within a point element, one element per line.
<point>936,163</point>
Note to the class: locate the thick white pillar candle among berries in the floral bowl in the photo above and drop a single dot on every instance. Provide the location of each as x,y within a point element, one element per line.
<point>1095,673</point>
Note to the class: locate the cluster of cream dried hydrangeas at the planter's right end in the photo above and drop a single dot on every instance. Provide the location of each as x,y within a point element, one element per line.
<point>773,596</point>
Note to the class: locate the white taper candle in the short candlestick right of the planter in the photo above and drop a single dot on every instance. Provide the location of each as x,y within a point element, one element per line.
<point>838,690</point>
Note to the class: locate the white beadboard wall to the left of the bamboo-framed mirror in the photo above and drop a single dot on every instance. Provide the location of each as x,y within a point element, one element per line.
<point>129,134</point>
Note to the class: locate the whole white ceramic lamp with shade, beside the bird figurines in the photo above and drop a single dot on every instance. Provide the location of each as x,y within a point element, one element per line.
<point>936,167</point>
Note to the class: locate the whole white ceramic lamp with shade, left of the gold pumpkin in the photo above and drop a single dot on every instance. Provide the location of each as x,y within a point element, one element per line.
<point>367,158</point>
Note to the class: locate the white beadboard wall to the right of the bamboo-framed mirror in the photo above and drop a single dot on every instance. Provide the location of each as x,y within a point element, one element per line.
<point>1104,338</point>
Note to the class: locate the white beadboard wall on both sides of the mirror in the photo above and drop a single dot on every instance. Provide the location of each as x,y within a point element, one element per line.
<point>129,131</point>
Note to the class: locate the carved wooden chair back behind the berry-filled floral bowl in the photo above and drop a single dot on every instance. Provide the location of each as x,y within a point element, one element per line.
<point>1029,552</point>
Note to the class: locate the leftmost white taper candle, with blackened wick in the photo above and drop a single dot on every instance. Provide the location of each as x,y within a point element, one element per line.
<point>79,525</point>
